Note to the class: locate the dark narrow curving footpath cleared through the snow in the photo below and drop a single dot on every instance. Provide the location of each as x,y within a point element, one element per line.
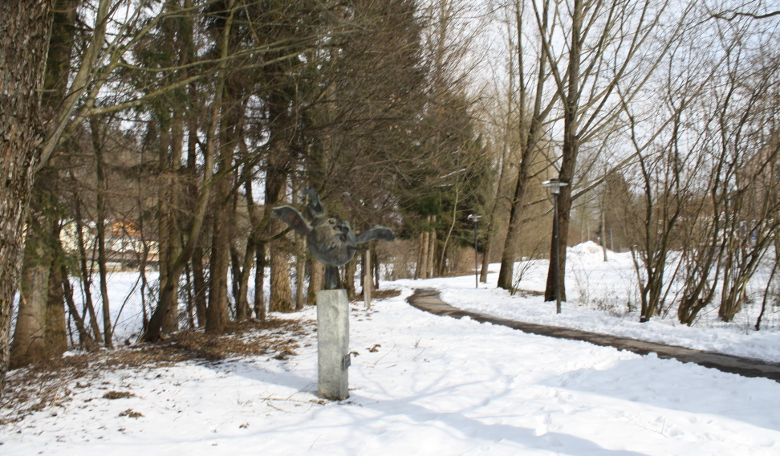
<point>427,299</point>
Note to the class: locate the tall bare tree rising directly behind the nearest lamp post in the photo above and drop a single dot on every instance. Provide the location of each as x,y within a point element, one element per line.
<point>606,43</point>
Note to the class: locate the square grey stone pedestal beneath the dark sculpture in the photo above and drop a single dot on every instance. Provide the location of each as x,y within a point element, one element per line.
<point>333,344</point>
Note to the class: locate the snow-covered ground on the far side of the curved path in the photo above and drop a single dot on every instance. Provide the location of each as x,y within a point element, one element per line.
<point>599,293</point>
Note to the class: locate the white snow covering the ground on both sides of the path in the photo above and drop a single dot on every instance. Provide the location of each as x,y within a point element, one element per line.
<point>438,386</point>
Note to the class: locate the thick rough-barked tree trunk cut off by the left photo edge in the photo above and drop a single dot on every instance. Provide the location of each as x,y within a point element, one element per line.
<point>24,30</point>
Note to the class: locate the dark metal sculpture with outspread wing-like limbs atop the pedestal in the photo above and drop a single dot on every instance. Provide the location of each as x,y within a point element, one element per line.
<point>331,240</point>
